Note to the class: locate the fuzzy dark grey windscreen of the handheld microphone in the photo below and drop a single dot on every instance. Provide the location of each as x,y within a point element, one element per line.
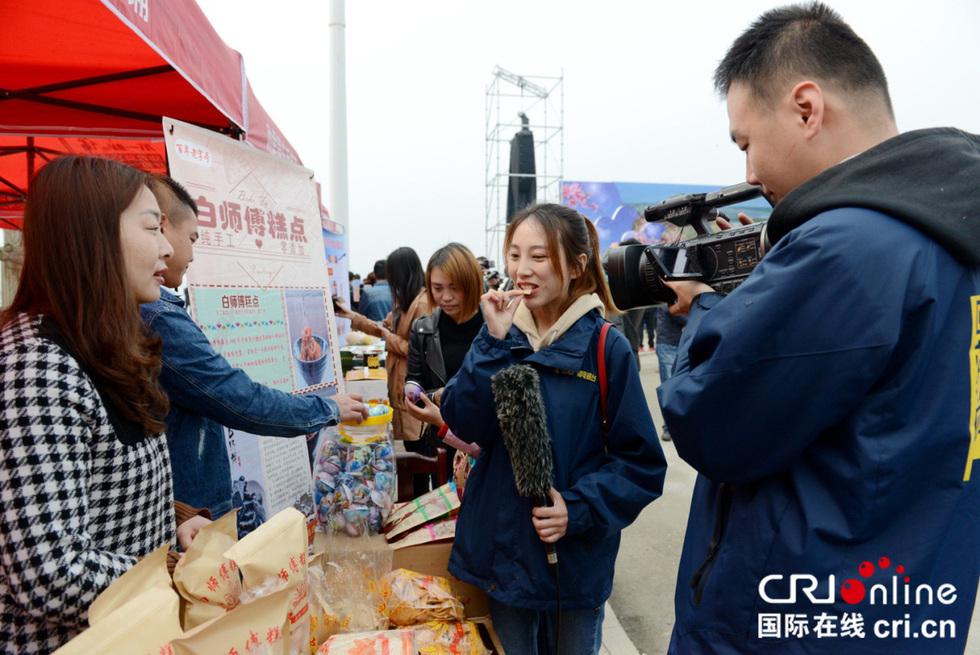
<point>524,428</point>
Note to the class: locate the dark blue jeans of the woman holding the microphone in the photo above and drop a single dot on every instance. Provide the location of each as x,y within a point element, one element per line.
<point>530,632</point>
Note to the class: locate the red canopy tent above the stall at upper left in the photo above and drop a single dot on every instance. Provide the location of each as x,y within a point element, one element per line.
<point>97,76</point>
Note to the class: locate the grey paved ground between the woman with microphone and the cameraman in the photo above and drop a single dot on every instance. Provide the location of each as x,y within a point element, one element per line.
<point>643,589</point>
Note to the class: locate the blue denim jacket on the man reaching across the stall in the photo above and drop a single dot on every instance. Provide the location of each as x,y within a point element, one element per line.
<point>206,393</point>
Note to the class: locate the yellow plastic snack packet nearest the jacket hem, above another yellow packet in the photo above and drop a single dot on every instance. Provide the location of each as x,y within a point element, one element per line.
<point>412,598</point>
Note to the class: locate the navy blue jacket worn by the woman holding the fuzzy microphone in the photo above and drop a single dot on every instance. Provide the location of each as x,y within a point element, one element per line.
<point>496,547</point>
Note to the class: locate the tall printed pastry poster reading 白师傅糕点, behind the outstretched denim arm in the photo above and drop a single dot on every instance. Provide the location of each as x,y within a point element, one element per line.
<point>260,290</point>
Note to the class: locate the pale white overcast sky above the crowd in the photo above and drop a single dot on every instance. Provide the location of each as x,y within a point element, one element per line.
<point>638,98</point>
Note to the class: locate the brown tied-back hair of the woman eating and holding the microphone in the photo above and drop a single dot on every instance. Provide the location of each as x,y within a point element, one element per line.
<point>569,234</point>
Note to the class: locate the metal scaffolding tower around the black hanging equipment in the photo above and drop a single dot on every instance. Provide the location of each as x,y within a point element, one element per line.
<point>543,100</point>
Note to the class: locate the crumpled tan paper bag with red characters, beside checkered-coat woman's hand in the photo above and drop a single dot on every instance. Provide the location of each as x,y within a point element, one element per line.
<point>204,577</point>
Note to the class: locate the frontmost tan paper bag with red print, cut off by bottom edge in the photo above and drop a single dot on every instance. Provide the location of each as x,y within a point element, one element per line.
<point>257,627</point>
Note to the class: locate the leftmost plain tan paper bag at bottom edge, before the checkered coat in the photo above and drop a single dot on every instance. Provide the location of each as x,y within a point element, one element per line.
<point>150,619</point>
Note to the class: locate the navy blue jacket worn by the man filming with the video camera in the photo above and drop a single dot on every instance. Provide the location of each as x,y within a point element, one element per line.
<point>826,404</point>
